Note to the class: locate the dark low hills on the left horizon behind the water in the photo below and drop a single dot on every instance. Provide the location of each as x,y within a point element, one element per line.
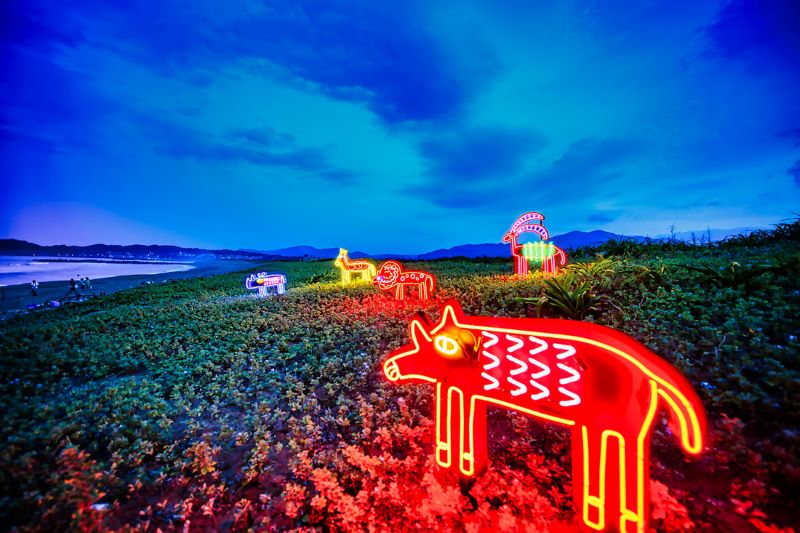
<point>133,251</point>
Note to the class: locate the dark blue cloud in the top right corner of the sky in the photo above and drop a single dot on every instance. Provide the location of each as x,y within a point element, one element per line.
<point>763,33</point>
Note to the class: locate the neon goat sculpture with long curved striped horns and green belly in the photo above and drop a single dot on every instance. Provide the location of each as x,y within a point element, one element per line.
<point>548,254</point>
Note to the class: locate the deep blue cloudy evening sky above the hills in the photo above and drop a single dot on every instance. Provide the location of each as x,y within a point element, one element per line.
<point>393,126</point>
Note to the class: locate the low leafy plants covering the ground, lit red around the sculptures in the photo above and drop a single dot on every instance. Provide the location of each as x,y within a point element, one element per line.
<point>194,405</point>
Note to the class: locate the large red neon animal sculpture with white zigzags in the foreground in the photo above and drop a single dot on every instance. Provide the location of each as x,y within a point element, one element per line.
<point>602,384</point>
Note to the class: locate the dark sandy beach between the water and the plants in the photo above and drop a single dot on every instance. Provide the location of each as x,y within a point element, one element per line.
<point>15,299</point>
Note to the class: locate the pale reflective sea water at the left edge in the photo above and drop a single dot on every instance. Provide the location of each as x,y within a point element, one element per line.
<point>15,269</point>
